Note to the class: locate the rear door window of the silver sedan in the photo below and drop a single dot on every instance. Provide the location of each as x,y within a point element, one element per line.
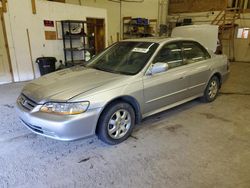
<point>193,52</point>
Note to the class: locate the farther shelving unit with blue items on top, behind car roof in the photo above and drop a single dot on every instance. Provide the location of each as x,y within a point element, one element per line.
<point>138,29</point>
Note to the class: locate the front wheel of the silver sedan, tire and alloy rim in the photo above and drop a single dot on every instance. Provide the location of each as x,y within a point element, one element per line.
<point>116,123</point>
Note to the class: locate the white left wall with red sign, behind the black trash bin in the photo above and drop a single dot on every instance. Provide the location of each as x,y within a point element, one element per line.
<point>19,17</point>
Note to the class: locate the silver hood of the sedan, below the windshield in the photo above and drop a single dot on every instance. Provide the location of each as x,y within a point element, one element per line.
<point>68,83</point>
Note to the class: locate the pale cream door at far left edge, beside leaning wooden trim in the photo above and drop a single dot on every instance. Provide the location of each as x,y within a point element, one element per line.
<point>5,68</point>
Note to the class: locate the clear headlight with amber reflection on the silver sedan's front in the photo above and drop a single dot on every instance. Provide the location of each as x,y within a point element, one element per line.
<point>65,108</point>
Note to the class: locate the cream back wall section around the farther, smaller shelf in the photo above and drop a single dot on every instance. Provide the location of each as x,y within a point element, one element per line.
<point>147,9</point>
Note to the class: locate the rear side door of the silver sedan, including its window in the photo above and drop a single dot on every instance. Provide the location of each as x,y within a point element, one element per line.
<point>198,65</point>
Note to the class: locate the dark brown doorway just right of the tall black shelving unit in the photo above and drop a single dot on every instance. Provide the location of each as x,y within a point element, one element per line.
<point>96,27</point>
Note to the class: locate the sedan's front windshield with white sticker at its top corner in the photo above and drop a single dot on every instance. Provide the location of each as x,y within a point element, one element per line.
<point>124,57</point>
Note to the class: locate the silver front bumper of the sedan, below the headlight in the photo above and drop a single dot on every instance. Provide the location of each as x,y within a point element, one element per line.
<point>59,127</point>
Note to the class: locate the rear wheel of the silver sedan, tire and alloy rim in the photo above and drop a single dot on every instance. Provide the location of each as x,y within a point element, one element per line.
<point>212,90</point>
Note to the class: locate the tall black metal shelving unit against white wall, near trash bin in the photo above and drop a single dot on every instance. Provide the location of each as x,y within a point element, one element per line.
<point>76,42</point>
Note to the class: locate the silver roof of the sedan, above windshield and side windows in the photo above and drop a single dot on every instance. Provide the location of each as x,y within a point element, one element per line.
<point>158,39</point>
